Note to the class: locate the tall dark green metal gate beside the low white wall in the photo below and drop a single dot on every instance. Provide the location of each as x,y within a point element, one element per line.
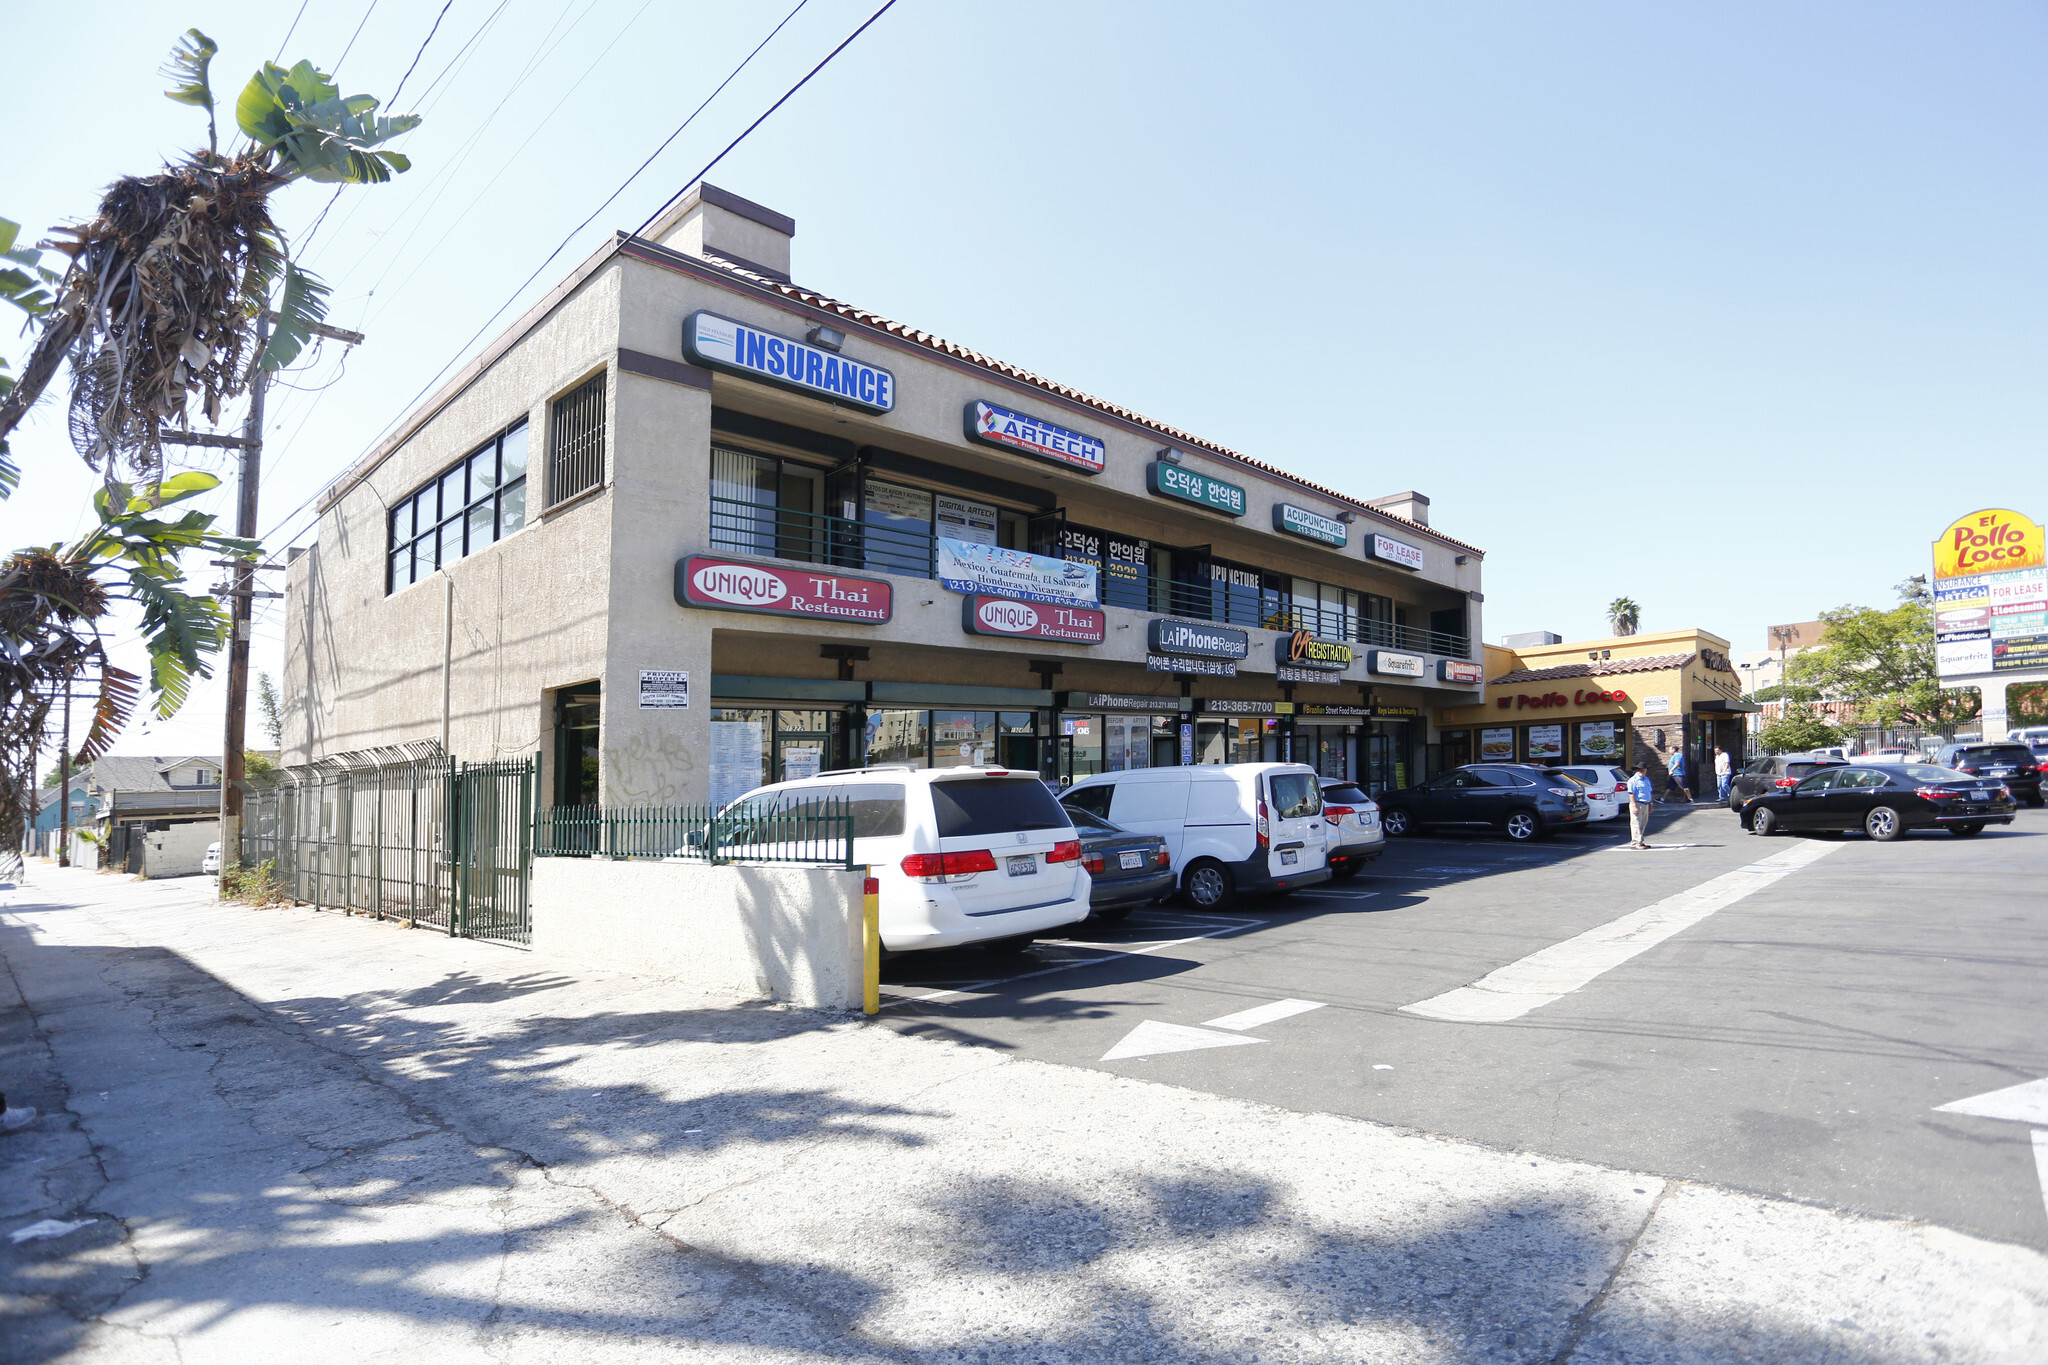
<point>490,848</point>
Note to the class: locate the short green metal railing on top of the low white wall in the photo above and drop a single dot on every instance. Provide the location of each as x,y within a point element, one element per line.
<point>771,832</point>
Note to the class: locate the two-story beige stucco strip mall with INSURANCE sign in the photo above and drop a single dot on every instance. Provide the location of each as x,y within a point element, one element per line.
<point>687,527</point>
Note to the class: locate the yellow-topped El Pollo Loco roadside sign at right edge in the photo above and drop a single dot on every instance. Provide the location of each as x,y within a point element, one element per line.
<point>1992,595</point>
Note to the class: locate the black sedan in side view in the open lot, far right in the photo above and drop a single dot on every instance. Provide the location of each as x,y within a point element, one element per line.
<point>1883,801</point>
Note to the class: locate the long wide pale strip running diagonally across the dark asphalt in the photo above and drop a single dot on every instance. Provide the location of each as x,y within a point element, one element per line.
<point>1553,973</point>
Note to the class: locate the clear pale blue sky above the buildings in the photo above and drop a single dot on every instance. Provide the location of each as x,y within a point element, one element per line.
<point>1725,308</point>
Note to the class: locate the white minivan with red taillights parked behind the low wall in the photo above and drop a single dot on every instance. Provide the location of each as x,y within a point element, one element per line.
<point>962,854</point>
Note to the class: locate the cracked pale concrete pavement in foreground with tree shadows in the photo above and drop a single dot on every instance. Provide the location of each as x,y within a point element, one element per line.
<point>306,1137</point>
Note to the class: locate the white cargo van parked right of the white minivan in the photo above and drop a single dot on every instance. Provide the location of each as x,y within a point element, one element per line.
<point>1234,828</point>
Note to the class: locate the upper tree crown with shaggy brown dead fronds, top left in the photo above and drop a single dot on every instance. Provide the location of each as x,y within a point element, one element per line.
<point>167,281</point>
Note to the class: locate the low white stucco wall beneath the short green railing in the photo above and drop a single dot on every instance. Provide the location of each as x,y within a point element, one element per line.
<point>781,934</point>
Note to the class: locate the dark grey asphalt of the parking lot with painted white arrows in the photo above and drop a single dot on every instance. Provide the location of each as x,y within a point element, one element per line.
<point>1795,1034</point>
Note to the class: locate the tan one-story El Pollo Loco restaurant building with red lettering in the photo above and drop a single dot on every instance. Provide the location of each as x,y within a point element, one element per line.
<point>1629,699</point>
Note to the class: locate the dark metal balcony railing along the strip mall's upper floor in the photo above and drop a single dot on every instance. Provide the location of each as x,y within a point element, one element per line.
<point>740,527</point>
